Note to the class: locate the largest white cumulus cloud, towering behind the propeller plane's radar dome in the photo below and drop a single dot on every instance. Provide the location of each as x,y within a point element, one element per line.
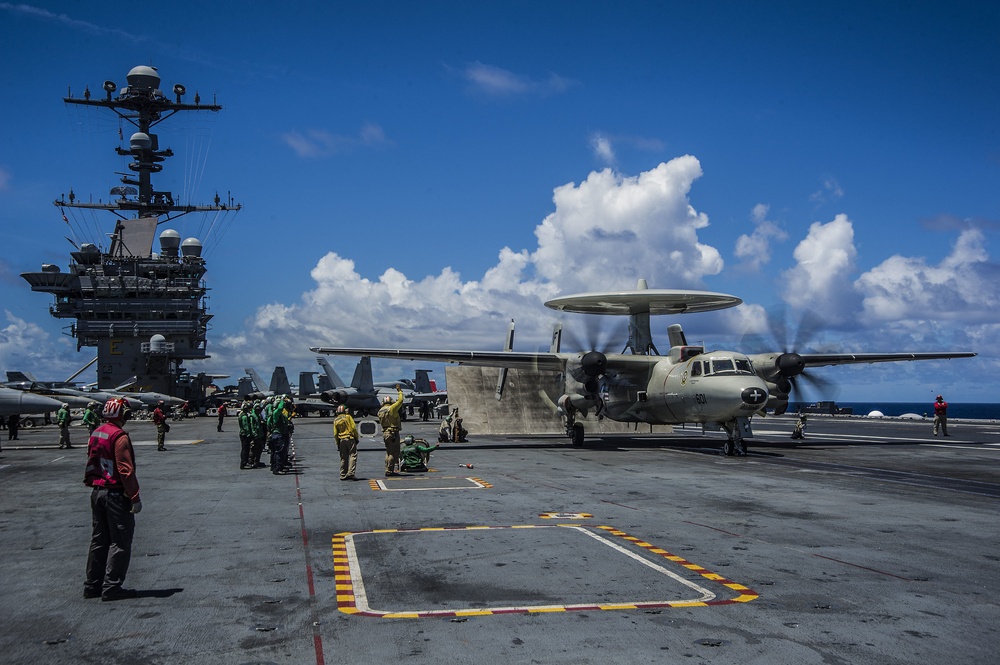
<point>595,223</point>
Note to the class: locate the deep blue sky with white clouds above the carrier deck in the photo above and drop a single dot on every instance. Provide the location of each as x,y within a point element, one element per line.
<point>416,174</point>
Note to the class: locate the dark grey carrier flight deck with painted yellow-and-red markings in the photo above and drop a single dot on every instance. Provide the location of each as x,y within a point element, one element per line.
<point>869,541</point>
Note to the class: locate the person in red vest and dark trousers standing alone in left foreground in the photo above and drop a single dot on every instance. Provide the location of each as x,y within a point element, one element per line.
<point>114,503</point>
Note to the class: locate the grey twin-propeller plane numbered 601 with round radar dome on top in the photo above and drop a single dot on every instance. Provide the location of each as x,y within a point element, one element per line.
<point>718,389</point>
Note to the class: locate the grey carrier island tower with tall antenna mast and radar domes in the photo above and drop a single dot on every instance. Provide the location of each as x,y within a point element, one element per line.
<point>145,311</point>
